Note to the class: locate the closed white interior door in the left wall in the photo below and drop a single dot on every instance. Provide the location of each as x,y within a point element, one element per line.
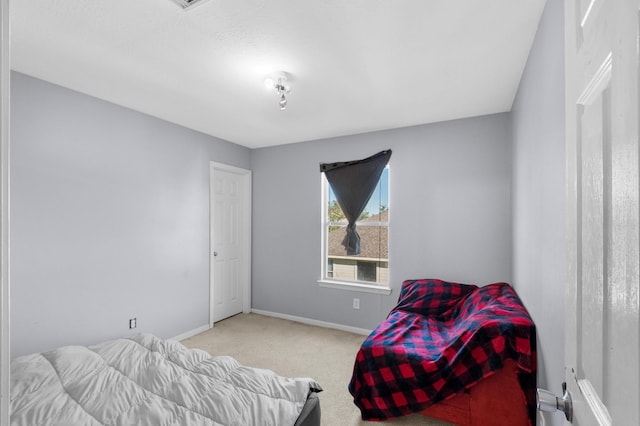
<point>230,241</point>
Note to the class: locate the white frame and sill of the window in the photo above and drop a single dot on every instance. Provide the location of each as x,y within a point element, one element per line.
<point>354,285</point>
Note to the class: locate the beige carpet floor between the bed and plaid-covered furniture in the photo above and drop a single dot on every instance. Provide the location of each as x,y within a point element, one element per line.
<point>298,350</point>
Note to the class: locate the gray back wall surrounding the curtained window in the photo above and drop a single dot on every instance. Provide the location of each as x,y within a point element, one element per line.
<point>450,206</point>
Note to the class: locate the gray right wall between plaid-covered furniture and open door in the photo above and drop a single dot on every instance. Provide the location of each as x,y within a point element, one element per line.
<point>539,261</point>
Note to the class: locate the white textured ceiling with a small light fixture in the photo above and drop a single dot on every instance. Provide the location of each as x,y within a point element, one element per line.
<point>355,66</point>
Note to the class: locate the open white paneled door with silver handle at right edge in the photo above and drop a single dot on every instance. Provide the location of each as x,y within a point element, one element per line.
<point>602,335</point>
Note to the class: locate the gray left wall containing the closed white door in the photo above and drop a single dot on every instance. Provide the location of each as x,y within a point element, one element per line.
<point>109,219</point>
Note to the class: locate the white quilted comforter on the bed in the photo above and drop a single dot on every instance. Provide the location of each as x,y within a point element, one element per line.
<point>144,380</point>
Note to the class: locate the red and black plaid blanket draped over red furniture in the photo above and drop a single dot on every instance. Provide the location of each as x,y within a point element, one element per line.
<point>441,339</point>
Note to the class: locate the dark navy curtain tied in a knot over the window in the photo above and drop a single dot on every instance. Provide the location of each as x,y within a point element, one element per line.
<point>353,183</point>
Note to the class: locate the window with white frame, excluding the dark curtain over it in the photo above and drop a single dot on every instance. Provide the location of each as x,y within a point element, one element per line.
<point>370,267</point>
